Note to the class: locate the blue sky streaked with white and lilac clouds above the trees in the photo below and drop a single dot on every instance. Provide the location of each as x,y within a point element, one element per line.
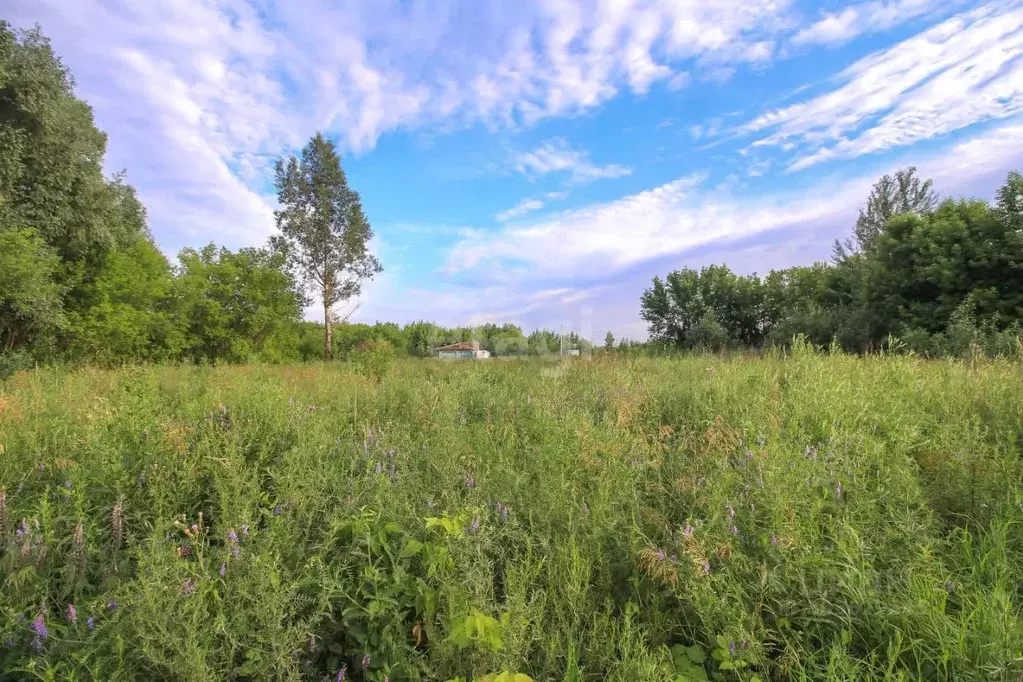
<point>540,162</point>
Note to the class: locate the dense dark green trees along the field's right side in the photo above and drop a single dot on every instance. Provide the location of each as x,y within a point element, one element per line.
<point>936,278</point>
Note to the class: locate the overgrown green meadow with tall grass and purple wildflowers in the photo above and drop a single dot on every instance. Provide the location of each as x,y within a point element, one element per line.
<point>787,518</point>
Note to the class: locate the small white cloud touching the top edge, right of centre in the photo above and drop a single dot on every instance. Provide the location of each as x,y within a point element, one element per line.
<point>841,27</point>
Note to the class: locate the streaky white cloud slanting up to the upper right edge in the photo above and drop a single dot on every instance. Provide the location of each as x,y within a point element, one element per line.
<point>965,71</point>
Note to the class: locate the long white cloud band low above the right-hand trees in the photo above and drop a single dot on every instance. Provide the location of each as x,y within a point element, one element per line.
<point>686,214</point>
